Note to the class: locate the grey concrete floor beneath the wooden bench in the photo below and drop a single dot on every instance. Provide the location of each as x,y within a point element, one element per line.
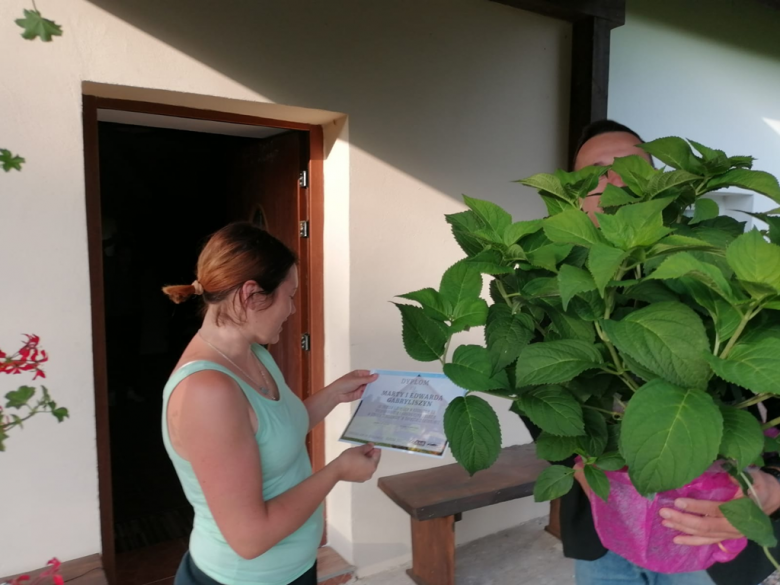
<point>525,555</point>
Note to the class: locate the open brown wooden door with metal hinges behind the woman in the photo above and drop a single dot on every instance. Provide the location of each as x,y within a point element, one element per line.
<point>270,193</point>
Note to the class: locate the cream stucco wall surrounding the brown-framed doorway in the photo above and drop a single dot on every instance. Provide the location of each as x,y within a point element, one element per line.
<point>443,98</point>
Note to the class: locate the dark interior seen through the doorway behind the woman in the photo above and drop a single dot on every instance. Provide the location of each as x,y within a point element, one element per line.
<point>162,193</point>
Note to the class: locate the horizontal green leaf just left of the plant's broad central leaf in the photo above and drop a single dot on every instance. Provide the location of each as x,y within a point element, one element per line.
<point>554,362</point>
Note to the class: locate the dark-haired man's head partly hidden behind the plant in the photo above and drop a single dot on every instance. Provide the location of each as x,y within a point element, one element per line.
<point>600,144</point>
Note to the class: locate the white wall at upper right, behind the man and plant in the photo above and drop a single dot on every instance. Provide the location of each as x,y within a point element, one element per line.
<point>706,70</point>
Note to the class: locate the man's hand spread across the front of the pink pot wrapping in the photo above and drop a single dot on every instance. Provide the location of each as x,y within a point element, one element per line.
<point>702,522</point>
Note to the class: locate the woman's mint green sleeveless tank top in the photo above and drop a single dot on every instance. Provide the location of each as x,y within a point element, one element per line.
<point>281,438</point>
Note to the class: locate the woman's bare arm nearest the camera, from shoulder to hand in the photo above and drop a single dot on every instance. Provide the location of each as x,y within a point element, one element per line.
<point>216,432</point>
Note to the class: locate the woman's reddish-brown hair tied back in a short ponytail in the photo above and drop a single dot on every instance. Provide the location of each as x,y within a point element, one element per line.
<point>236,254</point>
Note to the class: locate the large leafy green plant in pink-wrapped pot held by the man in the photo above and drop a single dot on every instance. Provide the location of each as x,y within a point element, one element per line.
<point>636,341</point>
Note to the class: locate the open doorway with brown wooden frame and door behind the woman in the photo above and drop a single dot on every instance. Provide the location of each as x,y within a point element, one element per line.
<point>157,186</point>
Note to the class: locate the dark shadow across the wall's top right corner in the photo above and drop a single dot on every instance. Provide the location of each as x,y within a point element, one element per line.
<point>750,25</point>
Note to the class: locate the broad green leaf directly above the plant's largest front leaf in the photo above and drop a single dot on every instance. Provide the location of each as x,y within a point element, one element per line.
<point>666,338</point>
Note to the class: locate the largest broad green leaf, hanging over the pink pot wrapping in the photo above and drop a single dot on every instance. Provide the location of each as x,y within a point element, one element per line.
<point>670,436</point>
